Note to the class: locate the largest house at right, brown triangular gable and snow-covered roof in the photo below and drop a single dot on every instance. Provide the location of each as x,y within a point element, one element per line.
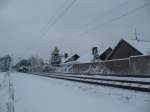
<point>125,49</point>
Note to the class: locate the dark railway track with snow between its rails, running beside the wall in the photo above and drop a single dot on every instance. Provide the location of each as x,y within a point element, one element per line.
<point>138,84</point>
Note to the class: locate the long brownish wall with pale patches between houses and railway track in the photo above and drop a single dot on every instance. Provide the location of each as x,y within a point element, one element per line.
<point>139,65</point>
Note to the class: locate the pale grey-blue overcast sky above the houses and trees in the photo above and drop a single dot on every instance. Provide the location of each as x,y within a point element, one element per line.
<point>23,30</point>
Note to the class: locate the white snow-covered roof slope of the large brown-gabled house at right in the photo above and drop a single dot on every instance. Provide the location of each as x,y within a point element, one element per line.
<point>143,47</point>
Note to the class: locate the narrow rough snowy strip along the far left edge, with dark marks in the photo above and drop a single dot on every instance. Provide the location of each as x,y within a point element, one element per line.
<point>6,93</point>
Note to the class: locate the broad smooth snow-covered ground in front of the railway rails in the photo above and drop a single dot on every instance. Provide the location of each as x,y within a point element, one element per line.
<point>40,94</point>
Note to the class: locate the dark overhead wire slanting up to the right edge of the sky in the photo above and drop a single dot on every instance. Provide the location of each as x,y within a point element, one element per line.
<point>117,18</point>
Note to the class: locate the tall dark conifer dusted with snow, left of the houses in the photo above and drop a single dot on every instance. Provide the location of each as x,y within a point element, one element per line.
<point>55,57</point>
